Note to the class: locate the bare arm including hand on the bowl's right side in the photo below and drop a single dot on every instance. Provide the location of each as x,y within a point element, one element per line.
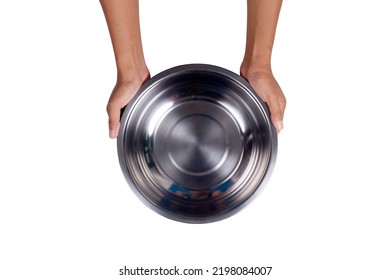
<point>262,20</point>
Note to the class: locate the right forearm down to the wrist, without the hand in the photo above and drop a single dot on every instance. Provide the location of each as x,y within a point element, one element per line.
<point>262,20</point>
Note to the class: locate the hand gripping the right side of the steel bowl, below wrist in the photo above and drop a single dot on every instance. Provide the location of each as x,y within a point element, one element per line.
<point>268,89</point>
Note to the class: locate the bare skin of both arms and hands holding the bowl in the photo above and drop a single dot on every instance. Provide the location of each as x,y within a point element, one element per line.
<point>122,18</point>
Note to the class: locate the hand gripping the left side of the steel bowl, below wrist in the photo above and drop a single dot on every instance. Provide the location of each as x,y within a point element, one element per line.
<point>121,95</point>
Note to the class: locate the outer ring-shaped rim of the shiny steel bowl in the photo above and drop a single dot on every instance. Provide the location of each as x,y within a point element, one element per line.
<point>160,78</point>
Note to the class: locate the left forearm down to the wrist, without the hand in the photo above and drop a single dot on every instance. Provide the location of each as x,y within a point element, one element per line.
<point>122,18</point>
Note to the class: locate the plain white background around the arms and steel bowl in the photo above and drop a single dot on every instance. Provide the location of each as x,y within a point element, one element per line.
<point>66,211</point>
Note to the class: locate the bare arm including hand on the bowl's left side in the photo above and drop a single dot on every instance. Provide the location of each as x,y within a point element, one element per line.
<point>122,18</point>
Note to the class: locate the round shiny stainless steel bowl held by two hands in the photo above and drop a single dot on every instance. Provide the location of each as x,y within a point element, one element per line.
<point>196,144</point>
